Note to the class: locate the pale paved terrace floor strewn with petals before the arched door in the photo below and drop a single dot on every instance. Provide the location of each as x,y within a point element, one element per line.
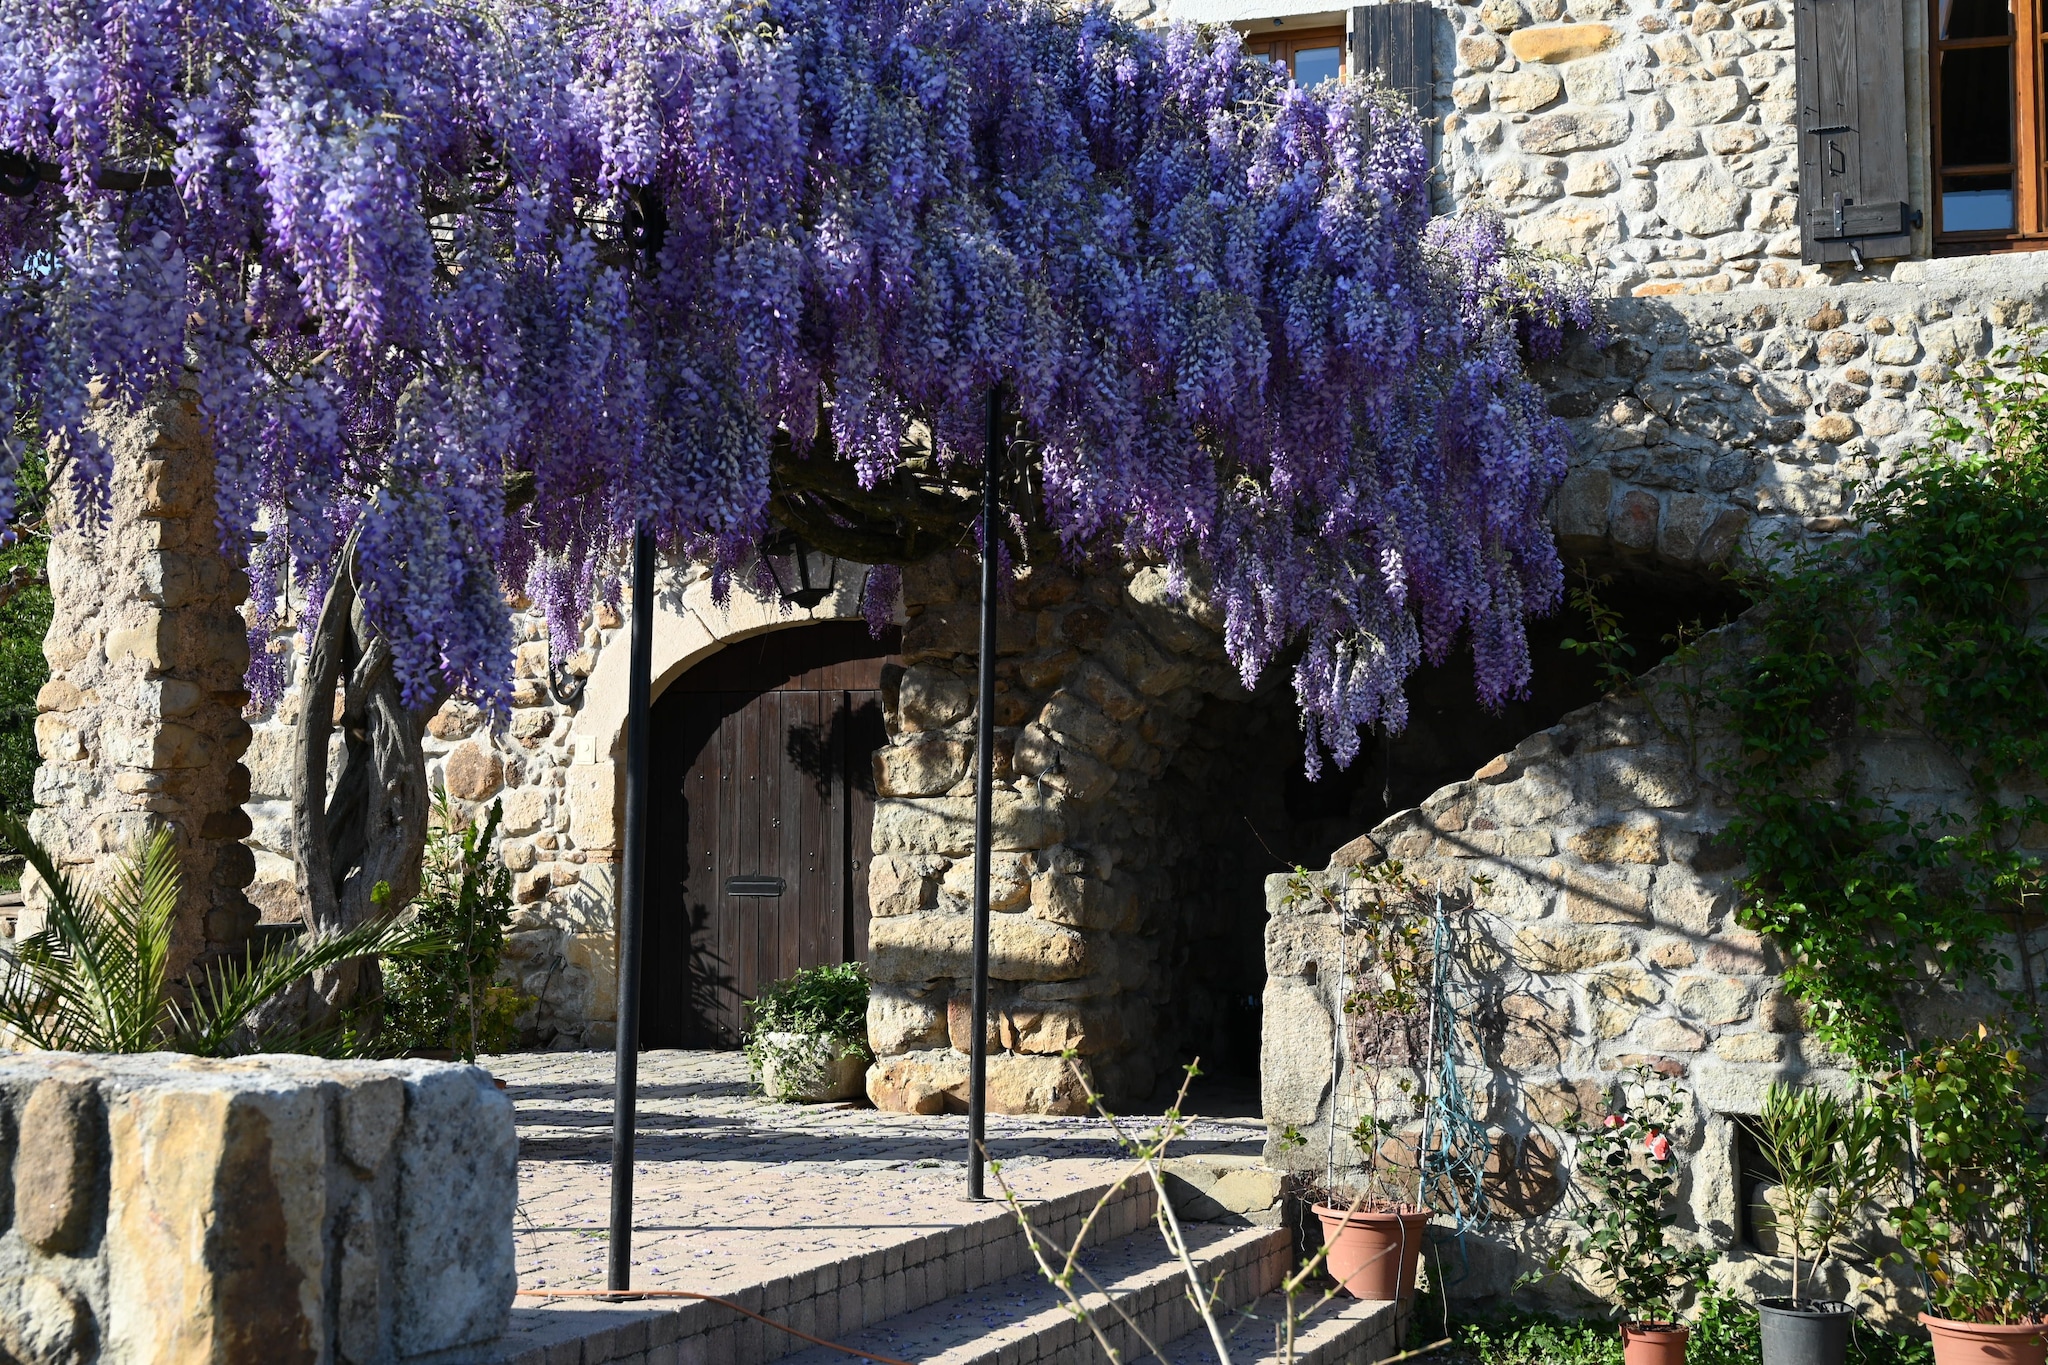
<point>732,1190</point>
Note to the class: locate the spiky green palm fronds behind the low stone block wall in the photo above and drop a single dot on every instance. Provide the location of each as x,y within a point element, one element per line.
<point>95,977</point>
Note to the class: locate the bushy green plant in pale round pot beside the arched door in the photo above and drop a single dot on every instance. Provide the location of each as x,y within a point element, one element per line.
<point>808,1034</point>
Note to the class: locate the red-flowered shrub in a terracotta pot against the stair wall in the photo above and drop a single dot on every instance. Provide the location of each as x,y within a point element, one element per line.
<point>1627,1165</point>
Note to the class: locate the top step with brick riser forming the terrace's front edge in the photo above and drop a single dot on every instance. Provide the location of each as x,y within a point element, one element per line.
<point>830,1298</point>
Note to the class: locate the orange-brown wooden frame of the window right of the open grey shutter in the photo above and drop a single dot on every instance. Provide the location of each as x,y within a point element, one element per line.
<point>2031,177</point>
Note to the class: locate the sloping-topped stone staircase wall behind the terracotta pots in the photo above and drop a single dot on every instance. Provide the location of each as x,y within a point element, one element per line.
<point>1594,932</point>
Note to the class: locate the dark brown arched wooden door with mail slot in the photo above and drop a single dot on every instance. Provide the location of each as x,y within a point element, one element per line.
<point>763,811</point>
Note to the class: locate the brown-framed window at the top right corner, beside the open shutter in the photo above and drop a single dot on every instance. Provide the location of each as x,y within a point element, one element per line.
<point>1988,79</point>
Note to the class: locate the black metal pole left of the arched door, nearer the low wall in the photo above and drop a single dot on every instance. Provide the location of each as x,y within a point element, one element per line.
<point>632,914</point>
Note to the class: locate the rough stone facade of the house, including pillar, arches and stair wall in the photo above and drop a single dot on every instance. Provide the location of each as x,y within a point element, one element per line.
<point>1744,394</point>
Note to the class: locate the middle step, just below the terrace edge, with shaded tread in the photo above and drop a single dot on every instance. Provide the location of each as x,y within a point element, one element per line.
<point>1025,1319</point>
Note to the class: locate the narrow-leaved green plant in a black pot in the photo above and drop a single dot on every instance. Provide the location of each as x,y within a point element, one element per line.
<point>1834,1157</point>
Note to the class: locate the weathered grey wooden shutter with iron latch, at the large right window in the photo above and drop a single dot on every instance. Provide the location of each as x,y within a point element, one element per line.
<point>1852,130</point>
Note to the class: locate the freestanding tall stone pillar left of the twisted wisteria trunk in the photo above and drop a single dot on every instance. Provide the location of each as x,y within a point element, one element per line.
<point>142,713</point>
